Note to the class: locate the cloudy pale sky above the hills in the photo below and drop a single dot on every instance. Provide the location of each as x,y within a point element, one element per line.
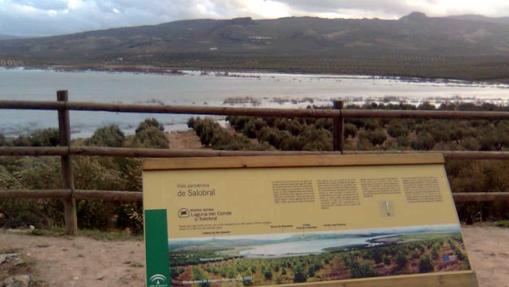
<point>50,17</point>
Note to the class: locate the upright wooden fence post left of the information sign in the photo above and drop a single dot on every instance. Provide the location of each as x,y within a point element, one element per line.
<point>64,128</point>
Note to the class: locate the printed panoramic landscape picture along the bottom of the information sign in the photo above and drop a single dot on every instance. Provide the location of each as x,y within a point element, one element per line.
<point>271,259</point>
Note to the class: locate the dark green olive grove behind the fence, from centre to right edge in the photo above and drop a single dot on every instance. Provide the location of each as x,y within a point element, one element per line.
<point>315,134</point>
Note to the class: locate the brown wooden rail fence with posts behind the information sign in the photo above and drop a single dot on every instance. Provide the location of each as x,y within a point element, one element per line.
<point>68,194</point>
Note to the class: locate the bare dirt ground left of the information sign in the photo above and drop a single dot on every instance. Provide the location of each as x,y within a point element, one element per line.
<point>80,261</point>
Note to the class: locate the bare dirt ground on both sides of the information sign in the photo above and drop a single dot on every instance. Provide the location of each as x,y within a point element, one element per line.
<point>88,262</point>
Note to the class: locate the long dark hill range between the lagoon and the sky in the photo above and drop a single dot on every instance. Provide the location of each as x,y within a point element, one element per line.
<point>467,47</point>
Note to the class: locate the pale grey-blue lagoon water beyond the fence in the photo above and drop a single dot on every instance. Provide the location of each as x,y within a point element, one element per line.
<point>195,89</point>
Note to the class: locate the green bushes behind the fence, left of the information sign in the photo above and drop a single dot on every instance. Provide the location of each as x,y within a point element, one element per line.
<point>102,173</point>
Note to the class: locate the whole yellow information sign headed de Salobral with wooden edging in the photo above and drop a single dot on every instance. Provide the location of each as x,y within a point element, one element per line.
<point>350,220</point>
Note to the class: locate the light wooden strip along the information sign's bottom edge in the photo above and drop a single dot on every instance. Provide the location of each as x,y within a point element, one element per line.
<point>444,279</point>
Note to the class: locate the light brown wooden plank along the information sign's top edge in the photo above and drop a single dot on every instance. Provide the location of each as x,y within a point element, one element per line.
<point>291,161</point>
